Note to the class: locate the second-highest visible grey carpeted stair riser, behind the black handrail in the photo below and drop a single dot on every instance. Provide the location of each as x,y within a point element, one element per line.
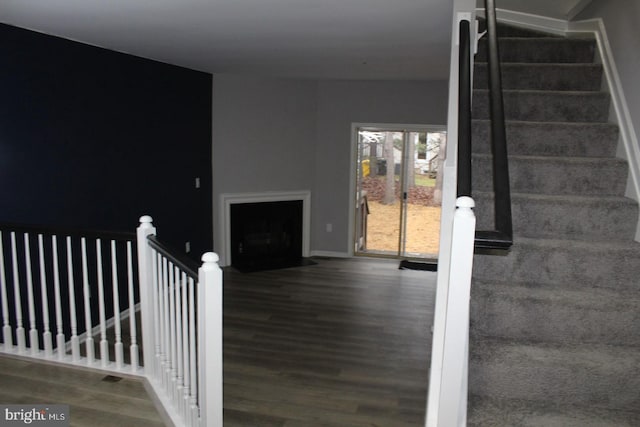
<point>545,50</point>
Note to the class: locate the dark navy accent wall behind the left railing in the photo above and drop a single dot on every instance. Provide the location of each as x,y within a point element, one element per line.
<point>93,138</point>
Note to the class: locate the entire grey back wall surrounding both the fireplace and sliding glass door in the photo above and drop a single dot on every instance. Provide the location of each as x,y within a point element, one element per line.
<point>284,135</point>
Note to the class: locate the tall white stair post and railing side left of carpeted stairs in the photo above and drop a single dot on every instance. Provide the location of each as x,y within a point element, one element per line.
<point>446,406</point>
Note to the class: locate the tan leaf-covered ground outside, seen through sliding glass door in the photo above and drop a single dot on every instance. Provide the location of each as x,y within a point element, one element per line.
<point>423,228</point>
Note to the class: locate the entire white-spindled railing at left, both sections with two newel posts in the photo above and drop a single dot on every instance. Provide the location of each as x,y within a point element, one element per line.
<point>82,288</point>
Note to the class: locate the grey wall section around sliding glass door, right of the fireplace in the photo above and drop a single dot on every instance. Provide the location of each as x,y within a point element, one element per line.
<point>341,103</point>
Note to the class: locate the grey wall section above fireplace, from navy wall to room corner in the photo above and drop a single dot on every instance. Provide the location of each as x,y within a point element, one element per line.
<point>263,137</point>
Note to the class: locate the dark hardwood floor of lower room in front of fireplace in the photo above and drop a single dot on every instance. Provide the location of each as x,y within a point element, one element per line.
<point>341,343</point>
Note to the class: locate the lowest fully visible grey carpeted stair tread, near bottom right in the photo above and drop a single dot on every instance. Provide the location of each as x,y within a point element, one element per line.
<point>596,374</point>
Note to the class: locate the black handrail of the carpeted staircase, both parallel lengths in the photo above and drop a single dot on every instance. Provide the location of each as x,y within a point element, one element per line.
<point>502,236</point>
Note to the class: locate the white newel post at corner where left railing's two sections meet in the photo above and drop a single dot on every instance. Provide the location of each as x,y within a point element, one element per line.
<point>145,276</point>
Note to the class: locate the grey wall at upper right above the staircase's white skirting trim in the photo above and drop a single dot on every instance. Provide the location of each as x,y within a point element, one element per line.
<point>621,19</point>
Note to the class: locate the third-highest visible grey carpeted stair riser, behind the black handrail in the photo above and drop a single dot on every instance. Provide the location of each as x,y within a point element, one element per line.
<point>583,77</point>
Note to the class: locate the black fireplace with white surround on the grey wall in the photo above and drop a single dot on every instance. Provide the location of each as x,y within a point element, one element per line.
<point>265,230</point>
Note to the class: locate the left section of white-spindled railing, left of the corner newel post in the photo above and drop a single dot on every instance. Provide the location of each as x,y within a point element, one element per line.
<point>48,282</point>
